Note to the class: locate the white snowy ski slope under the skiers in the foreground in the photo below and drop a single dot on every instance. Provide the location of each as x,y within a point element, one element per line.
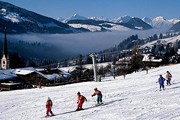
<point>135,98</point>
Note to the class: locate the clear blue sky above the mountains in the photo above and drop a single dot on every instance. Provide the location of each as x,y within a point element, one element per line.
<point>102,8</point>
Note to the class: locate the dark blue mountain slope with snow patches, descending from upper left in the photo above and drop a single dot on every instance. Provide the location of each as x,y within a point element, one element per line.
<point>19,20</point>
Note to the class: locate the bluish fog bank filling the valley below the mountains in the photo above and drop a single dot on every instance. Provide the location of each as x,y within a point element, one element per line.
<point>60,46</point>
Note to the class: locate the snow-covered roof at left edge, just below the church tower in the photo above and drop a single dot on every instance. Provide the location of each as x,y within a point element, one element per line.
<point>7,74</point>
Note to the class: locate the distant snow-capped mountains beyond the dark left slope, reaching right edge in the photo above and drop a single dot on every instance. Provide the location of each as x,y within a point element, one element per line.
<point>123,23</point>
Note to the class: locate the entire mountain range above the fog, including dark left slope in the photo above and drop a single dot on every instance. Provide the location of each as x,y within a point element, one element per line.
<point>19,20</point>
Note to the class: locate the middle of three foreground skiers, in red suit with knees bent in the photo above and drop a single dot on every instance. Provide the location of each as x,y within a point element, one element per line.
<point>80,101</point>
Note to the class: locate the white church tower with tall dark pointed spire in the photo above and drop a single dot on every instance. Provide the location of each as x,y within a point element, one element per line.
<point>5,56</point>
